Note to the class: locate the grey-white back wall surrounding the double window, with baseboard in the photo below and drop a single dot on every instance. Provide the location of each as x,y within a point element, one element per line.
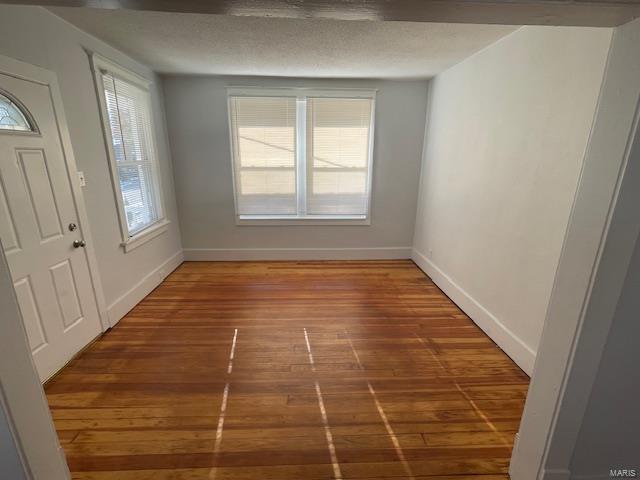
<point>199,136</point>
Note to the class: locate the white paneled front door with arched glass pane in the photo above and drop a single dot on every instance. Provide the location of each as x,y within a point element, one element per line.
<point>38,227</point>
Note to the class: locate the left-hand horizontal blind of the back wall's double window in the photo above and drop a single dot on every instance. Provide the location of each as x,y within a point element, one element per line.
<point>264,144</point>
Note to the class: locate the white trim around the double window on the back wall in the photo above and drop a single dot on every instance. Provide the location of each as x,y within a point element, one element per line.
<point>301,93</point>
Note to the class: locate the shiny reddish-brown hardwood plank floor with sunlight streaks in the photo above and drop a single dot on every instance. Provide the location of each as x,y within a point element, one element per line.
<point>291,371</point>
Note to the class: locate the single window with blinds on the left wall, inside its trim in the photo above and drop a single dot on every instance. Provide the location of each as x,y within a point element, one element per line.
<point>128,112</point>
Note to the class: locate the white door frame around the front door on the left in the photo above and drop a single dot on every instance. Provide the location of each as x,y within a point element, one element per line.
<point>25,71</point>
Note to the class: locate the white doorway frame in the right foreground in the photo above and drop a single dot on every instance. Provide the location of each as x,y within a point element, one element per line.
<point>603,228</point>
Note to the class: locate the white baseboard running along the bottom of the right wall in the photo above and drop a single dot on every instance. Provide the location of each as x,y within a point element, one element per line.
<point>513,346</point>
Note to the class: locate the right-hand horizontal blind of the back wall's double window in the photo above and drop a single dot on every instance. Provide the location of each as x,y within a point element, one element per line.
<point>338,155</point>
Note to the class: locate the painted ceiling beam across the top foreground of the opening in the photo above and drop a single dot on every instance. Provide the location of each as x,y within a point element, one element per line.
<point>599,13</point>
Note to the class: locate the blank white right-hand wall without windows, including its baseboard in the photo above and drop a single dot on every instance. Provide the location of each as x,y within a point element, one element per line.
<point>506,137</point>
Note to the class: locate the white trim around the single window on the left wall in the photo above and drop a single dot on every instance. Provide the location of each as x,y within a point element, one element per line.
<point>99,66</point>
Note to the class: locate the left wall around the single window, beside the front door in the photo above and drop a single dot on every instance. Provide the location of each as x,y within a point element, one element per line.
<point>36,36</point>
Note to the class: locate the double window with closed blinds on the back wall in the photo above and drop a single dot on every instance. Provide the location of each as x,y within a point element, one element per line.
<point>302,154</point>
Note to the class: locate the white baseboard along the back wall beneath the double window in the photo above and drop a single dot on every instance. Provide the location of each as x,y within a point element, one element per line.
<point>235,254</point>
